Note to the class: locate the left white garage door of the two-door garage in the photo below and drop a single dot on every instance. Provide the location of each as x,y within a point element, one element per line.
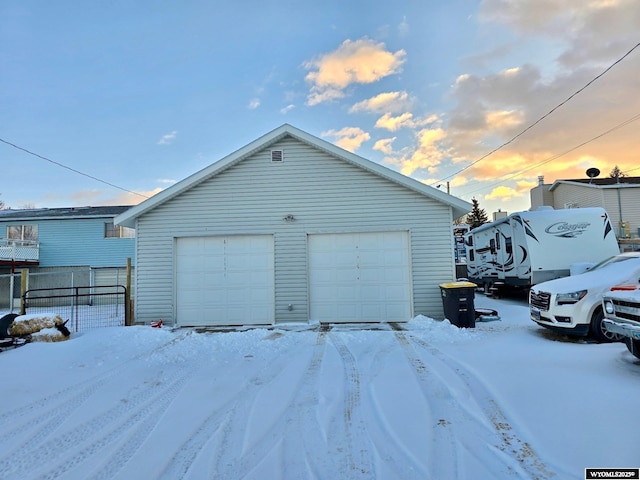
<point>226,280</point>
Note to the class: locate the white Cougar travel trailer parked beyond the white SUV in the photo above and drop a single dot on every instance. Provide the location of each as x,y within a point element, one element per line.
<point>531,247</point>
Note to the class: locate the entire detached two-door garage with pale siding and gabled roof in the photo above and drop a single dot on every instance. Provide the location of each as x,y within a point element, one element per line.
<point>291,228</point>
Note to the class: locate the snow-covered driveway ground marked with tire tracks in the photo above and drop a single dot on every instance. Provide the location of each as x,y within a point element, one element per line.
<point>504,400</point>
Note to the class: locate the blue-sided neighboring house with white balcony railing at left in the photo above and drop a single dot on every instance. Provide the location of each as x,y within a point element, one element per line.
<point>46,239</point>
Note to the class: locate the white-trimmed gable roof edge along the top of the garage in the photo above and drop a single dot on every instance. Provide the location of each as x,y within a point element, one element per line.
<point>128,218</point>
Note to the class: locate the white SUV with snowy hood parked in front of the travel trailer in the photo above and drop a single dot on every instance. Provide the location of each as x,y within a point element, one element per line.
<point>573,305</point>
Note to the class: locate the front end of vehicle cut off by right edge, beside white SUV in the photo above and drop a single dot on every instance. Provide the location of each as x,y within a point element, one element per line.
<point>622,315</point>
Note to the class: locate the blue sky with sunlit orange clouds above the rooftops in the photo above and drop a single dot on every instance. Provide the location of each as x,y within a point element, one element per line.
<point>123,99</point>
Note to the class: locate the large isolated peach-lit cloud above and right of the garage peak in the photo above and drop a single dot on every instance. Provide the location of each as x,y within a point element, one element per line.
<point>361,61</point>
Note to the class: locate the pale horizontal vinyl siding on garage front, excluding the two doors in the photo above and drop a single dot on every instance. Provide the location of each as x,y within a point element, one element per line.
<point>324,194</point>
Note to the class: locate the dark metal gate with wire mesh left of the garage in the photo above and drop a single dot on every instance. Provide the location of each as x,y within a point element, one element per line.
<point>84,307</point>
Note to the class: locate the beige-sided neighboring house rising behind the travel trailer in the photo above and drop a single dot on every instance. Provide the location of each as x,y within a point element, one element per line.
<point>619,197</point>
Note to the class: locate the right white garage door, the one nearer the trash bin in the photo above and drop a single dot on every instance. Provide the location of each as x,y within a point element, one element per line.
<point>359,277</point>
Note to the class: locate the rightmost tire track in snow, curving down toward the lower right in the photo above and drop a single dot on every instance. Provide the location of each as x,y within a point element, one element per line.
<point>509,442</point>
